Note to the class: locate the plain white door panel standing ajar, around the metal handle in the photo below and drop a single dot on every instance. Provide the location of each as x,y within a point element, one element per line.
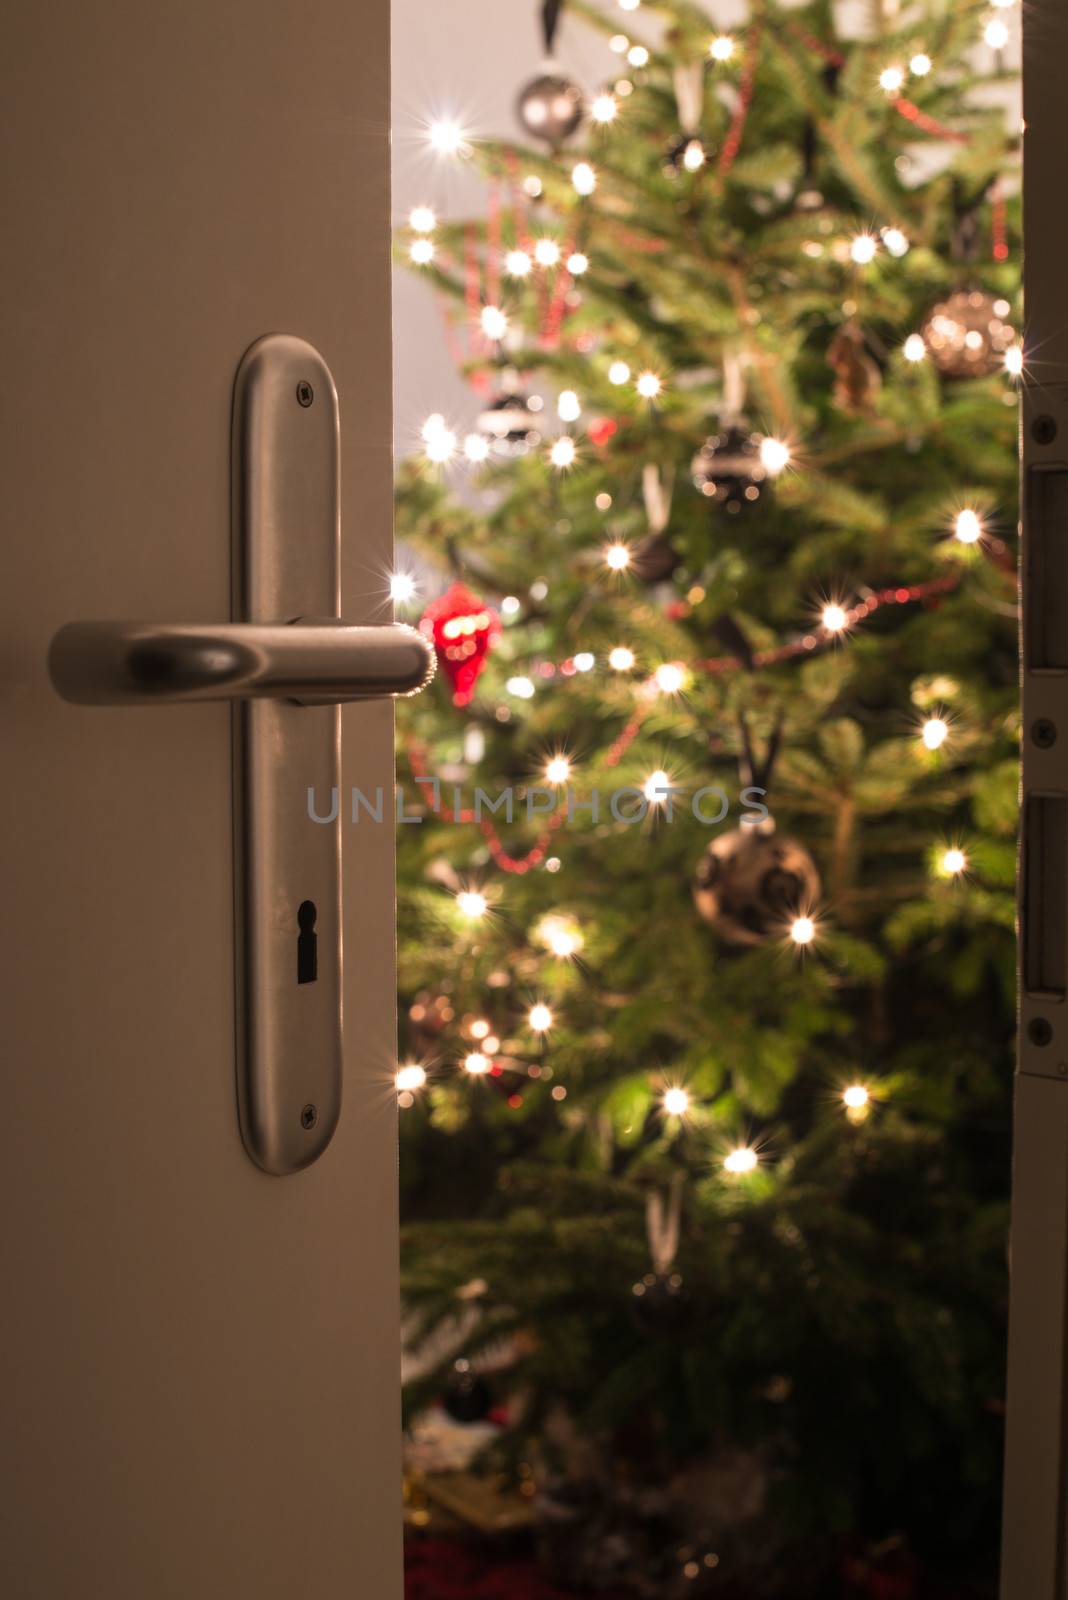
<point>201,1361</point>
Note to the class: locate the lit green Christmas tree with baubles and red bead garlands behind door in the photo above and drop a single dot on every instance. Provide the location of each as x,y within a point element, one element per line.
<point>707,926</point>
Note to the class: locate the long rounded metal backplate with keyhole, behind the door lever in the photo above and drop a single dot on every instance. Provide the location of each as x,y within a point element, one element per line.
<point>287,550</point>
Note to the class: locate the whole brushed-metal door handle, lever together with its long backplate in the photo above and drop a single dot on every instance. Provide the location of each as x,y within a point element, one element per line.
<point>287,681</point>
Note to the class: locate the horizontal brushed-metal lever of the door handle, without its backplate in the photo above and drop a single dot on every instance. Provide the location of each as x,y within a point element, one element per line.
<point>309,662</point>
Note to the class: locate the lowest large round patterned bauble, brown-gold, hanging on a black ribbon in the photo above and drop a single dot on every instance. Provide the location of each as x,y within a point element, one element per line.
<point>751,884</point>
